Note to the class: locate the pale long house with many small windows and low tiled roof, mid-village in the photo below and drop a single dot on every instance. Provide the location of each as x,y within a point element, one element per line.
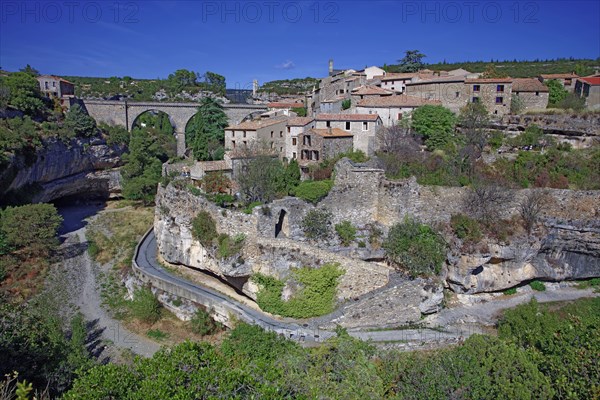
<point>363,127</point>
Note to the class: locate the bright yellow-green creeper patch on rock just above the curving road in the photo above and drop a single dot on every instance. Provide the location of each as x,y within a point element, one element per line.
<point>317,296</point>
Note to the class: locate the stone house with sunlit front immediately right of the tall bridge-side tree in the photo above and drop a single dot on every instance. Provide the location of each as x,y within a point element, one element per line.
<point>267,132</point>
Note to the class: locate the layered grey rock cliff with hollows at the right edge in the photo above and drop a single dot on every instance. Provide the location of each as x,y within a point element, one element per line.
<point>569,250</point>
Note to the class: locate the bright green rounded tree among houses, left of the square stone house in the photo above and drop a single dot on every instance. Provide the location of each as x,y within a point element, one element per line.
<point>436,125</point>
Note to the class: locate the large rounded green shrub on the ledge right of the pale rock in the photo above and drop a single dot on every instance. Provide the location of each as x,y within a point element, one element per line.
<point>416,247</point>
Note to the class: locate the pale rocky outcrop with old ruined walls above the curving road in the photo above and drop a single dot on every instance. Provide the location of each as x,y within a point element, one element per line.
<point>262,252</point>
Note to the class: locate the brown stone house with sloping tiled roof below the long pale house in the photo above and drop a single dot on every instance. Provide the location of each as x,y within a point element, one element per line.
<point>316,145</point>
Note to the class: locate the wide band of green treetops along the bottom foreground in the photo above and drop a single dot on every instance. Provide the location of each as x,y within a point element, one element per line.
<point>538,354</point>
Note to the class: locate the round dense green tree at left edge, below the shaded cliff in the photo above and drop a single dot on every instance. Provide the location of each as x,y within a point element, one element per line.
<point>31,227</point>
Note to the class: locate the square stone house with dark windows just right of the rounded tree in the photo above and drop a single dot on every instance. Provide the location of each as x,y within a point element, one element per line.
<point>494,93</point>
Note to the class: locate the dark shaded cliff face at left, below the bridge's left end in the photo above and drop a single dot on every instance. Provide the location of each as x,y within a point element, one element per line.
<point>83,167</point>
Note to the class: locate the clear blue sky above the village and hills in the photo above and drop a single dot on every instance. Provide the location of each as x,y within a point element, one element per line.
<point>267,40</point>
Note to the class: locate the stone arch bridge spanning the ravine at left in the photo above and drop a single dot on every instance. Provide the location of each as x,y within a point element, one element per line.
<point>124,113</point>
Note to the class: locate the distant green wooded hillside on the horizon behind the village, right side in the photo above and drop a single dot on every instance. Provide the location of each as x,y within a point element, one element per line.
<point>519,69</point>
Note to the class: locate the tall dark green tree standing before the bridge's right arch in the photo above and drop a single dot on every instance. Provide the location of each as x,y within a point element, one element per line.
<point>205,133</point>
